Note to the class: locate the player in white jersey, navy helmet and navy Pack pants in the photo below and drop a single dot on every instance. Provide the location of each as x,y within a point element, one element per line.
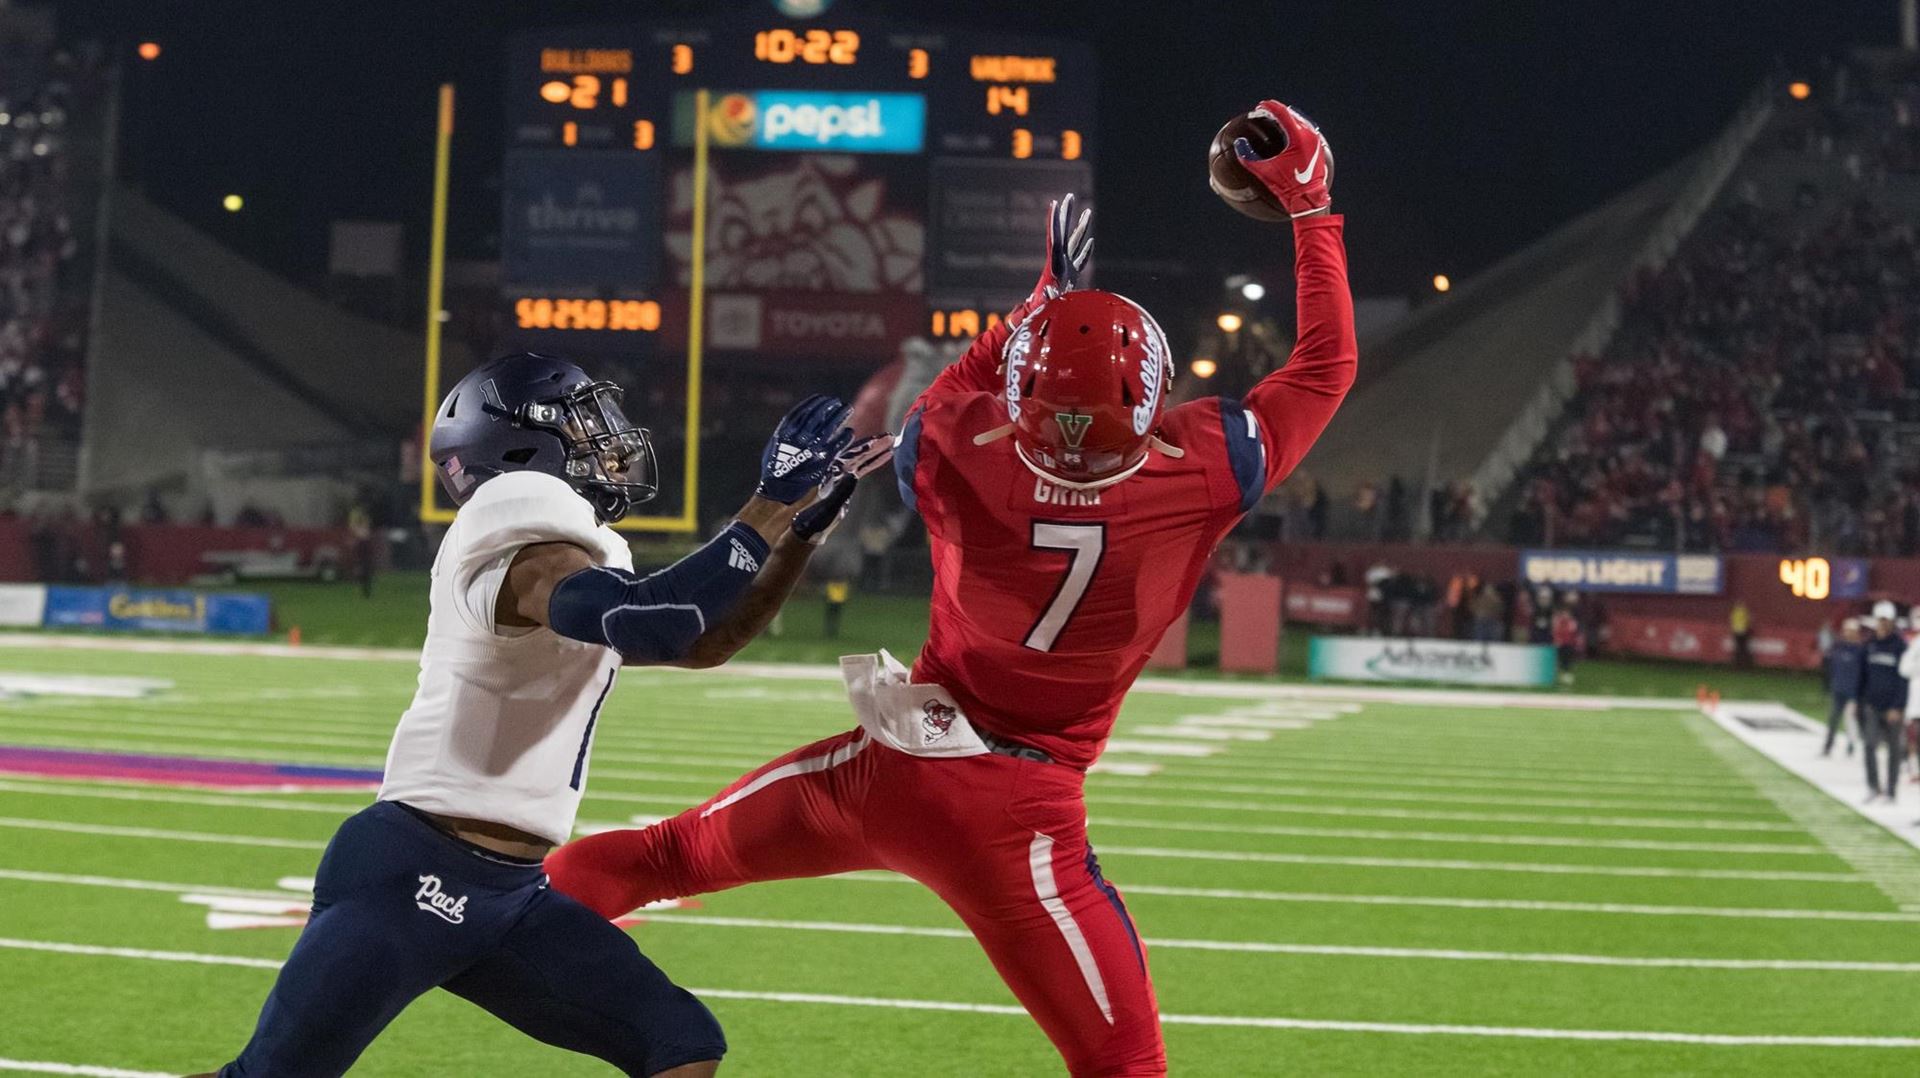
<point>535,610</point>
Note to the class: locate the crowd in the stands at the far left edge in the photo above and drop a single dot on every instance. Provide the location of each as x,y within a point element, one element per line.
<point>43,289</point>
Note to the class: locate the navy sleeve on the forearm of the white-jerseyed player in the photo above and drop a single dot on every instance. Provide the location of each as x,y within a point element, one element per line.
<point>656,620</point>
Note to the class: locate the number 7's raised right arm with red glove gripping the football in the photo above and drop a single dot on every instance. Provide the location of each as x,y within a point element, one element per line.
<point>1293,406</point>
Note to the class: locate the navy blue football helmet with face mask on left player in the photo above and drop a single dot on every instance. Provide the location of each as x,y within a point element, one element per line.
<point>544,414</point>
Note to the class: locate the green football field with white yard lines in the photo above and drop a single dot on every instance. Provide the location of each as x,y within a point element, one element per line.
<point>1328,887</point>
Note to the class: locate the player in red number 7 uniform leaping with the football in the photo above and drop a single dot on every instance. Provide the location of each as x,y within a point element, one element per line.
<point>1070,516</point>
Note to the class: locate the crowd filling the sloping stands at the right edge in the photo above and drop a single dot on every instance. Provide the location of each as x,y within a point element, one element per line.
<point>1752,395</point>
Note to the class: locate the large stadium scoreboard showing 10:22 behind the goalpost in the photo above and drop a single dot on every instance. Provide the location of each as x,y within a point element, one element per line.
<point>867,182</point>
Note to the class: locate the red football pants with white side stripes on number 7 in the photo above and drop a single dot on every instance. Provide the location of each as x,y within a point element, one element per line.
<point>1001,841</point>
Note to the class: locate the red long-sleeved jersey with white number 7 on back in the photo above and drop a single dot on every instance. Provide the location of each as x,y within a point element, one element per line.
<point>1047,602</point>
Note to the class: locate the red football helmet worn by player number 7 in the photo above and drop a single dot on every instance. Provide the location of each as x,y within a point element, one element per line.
<point>1088,378</point>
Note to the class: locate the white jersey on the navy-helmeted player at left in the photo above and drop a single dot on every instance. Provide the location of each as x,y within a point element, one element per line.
<point>504,720</point>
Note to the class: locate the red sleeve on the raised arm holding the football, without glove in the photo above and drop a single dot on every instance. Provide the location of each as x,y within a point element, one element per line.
<point>1295,403</point>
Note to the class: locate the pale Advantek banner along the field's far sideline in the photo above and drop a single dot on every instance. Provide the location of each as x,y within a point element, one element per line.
<point>1454,662</point>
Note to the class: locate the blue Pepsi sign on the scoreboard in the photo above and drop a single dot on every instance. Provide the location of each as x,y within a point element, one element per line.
<point>807,120</point>
